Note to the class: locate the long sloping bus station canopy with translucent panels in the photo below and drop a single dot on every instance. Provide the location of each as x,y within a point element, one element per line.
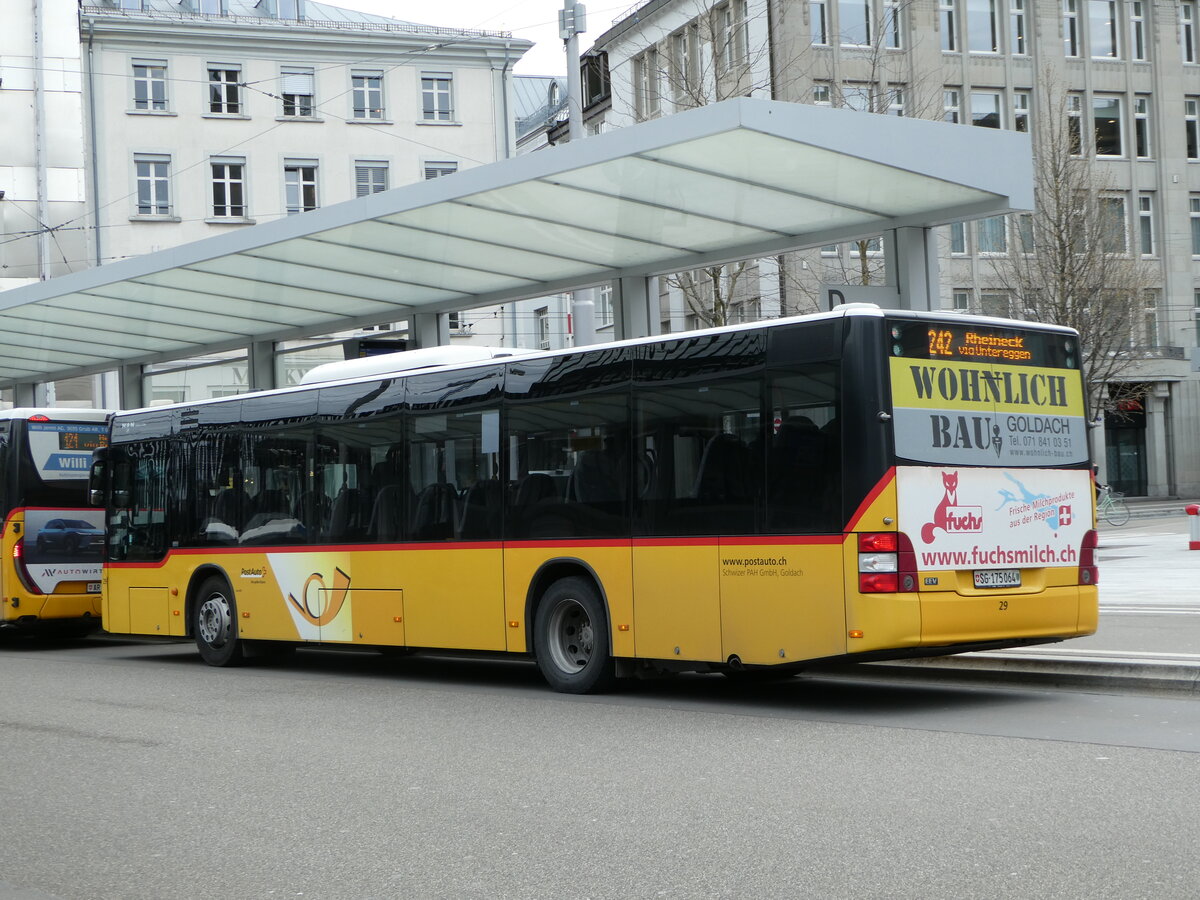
<point>734,181</point>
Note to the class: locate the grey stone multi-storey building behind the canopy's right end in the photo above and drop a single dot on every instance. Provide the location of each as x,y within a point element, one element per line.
<point>1131,75</point>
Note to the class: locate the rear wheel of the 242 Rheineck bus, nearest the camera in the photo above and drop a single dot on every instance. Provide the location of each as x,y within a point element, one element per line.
<point>572,640</point>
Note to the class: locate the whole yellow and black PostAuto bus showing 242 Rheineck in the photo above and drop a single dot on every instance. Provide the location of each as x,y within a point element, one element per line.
<point>851,485</point>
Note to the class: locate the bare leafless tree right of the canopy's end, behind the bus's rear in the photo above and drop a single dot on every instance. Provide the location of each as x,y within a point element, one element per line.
<point>1072,263</point>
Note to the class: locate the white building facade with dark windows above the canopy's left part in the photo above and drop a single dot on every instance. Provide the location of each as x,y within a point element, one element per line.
<point>176,122</point>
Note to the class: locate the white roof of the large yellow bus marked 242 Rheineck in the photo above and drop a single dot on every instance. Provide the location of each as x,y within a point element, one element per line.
<point>401,363</point>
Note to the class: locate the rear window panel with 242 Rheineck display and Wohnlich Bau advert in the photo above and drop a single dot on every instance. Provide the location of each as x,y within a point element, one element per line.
<point>968,397</point>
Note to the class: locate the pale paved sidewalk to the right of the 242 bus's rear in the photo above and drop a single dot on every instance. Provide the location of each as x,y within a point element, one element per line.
<point>1150,615</point>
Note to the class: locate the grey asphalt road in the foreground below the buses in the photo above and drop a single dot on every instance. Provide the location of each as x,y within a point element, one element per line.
<point>133,771</point>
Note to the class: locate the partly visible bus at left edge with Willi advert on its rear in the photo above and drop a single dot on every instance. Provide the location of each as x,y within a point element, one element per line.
<point>53,541</point>
